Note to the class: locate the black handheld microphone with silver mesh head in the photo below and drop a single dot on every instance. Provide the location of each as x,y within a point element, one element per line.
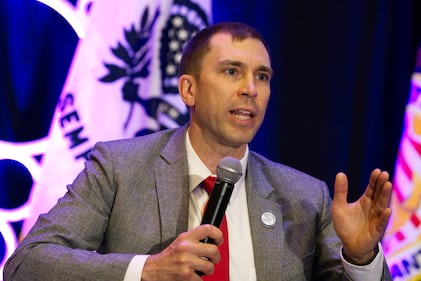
<point>228,172</point>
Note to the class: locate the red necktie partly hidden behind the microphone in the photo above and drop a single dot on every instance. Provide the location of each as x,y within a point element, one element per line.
<point>221,272</point>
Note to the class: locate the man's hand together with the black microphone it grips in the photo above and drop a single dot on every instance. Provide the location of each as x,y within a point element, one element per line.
<point>183,251</point>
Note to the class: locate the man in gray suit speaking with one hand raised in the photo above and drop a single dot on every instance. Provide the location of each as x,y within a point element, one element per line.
<point>134,212</point>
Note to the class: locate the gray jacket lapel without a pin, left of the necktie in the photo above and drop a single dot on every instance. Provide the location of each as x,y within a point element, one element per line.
<point>172,185</point>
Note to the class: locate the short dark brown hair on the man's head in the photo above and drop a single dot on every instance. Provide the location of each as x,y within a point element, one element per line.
<point>198,46</point>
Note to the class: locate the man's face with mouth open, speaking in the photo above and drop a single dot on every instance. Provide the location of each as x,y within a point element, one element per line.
<point>232,91</point>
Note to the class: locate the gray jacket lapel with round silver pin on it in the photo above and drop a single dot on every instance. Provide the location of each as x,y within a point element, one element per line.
<point>267,234</point>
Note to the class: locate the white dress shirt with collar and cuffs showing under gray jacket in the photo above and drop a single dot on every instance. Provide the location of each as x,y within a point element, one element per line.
<point>240,244</point>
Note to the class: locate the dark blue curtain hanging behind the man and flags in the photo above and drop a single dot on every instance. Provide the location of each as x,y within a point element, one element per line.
<point>342,73</point>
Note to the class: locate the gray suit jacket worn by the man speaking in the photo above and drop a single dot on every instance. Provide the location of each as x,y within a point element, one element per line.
<point>132,198</point>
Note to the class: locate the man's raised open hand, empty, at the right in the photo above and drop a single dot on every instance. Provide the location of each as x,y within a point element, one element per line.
<point>361,225</point>
